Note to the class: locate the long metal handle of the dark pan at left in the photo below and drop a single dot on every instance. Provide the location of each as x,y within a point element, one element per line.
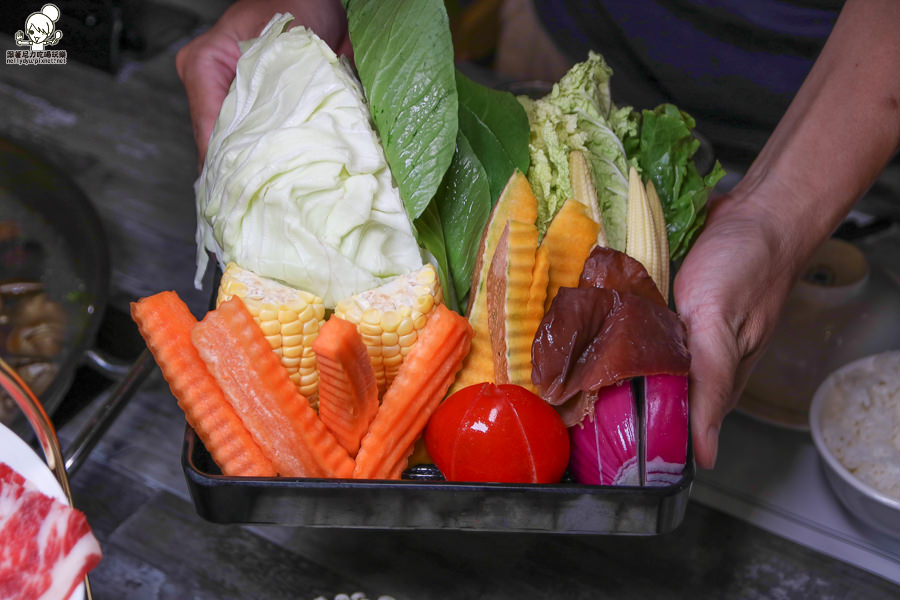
<point>107,412</point>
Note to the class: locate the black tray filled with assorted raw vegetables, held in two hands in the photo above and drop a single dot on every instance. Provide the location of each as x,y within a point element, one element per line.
<point>439,305</point>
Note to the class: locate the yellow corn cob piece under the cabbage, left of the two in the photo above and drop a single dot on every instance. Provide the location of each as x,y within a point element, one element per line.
<point>289,318</point>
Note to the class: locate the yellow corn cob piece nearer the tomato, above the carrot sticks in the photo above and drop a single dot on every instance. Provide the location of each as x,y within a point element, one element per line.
<point>390,317</point>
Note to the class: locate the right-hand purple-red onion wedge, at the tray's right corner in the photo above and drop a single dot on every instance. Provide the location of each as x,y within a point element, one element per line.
<point>666,428</point>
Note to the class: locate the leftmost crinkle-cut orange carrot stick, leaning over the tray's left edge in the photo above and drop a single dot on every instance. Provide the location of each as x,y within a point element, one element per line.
<point>165,322</point>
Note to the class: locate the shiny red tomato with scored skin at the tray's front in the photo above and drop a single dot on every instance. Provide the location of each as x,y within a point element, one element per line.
<point>502,433</point>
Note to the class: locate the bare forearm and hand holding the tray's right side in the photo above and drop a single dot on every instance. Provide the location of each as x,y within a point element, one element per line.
<point>835,138</point>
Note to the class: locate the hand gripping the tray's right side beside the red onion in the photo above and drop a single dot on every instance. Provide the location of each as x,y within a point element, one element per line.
<point>729,292</point>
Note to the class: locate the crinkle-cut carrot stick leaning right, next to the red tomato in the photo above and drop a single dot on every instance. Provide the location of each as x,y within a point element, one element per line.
<point>420,385</point>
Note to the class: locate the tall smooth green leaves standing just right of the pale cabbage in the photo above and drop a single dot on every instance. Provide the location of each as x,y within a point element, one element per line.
<point>452,143</point>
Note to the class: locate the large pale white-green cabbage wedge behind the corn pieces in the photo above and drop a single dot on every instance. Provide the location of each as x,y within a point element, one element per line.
<point>295,185</point>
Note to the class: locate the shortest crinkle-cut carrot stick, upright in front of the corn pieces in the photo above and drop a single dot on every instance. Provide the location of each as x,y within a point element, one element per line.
<point>348,391</point>
